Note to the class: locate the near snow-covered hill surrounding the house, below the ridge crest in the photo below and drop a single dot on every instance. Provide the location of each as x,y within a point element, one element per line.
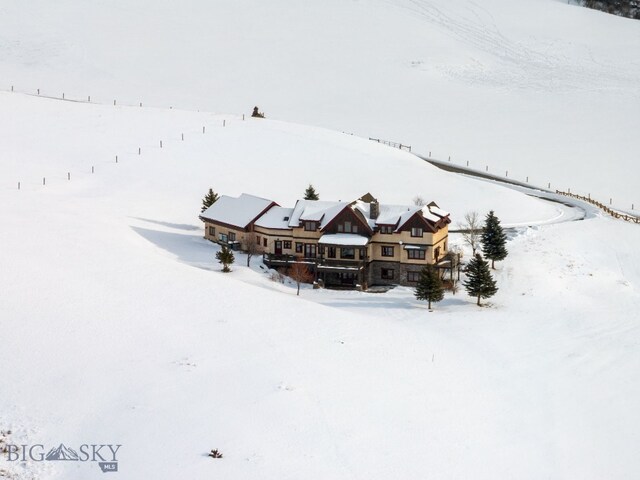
<point>118,326</point>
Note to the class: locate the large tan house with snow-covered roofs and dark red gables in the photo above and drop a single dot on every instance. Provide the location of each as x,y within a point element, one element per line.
<point>362,242</point>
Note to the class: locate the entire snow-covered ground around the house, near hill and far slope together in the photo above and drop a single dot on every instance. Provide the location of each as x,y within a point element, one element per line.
<point>116,325</point>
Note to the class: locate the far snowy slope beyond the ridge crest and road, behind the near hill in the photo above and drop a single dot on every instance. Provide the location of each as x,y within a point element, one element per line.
<point>540,88</point>
